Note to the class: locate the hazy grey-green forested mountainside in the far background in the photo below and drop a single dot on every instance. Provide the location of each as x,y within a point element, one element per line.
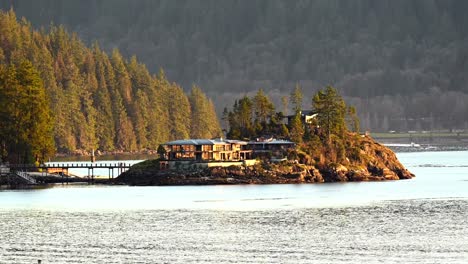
<point>402,63</point>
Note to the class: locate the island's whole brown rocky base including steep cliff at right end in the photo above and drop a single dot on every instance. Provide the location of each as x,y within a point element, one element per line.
<point>376,163</point>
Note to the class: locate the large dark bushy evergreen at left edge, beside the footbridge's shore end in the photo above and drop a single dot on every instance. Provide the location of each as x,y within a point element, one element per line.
<point>26,132</point>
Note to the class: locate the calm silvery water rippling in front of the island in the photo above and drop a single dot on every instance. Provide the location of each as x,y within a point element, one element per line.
<point>423,220</point>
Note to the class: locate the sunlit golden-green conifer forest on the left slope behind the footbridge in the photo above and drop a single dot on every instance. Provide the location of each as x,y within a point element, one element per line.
<point>58,94</point>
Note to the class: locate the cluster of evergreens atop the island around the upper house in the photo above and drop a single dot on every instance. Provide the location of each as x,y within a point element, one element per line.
<point>256,116</point>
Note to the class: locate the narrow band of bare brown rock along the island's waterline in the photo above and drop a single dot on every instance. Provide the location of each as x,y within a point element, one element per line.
<point>252,175</point>
